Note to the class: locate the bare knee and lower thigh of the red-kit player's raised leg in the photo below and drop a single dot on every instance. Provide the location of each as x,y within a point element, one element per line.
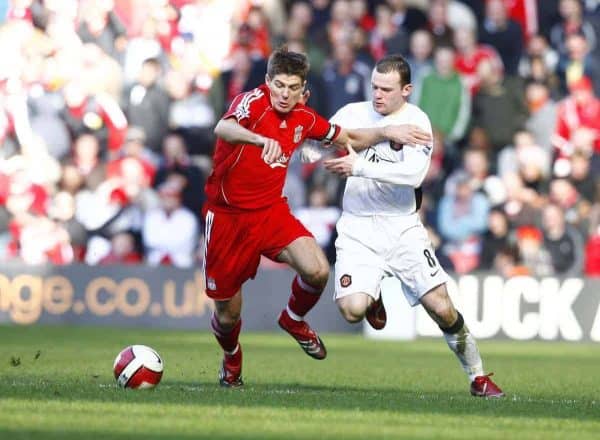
<point>306,257</point>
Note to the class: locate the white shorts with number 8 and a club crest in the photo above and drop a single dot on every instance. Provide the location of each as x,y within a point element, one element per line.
<point>370,248</point>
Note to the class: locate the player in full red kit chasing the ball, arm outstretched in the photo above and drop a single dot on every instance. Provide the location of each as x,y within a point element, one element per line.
<point>246,215</point>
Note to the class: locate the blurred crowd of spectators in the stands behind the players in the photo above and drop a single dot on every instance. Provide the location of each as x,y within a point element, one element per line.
<point>107,109</point>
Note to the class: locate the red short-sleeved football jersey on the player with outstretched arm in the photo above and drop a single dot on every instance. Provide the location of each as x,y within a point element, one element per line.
<point>241,179</point>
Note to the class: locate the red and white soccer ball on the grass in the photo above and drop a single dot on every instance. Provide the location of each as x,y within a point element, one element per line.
<point>138,366</point>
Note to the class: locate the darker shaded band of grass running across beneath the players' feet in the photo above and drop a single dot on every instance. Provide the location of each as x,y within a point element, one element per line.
<point>313,397</point>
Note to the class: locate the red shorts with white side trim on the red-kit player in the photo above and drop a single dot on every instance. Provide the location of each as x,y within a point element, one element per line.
<point>234,243</point>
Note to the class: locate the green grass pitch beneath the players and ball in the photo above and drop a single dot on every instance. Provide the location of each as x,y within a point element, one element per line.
<point>57,383</point>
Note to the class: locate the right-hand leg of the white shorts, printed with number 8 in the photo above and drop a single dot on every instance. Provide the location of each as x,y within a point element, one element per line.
<point>414,263</point>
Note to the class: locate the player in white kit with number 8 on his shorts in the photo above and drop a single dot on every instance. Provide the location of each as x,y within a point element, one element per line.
<point>380,233</point>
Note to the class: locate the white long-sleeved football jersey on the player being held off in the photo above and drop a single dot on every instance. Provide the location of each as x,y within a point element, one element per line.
<point>386,177</point>
